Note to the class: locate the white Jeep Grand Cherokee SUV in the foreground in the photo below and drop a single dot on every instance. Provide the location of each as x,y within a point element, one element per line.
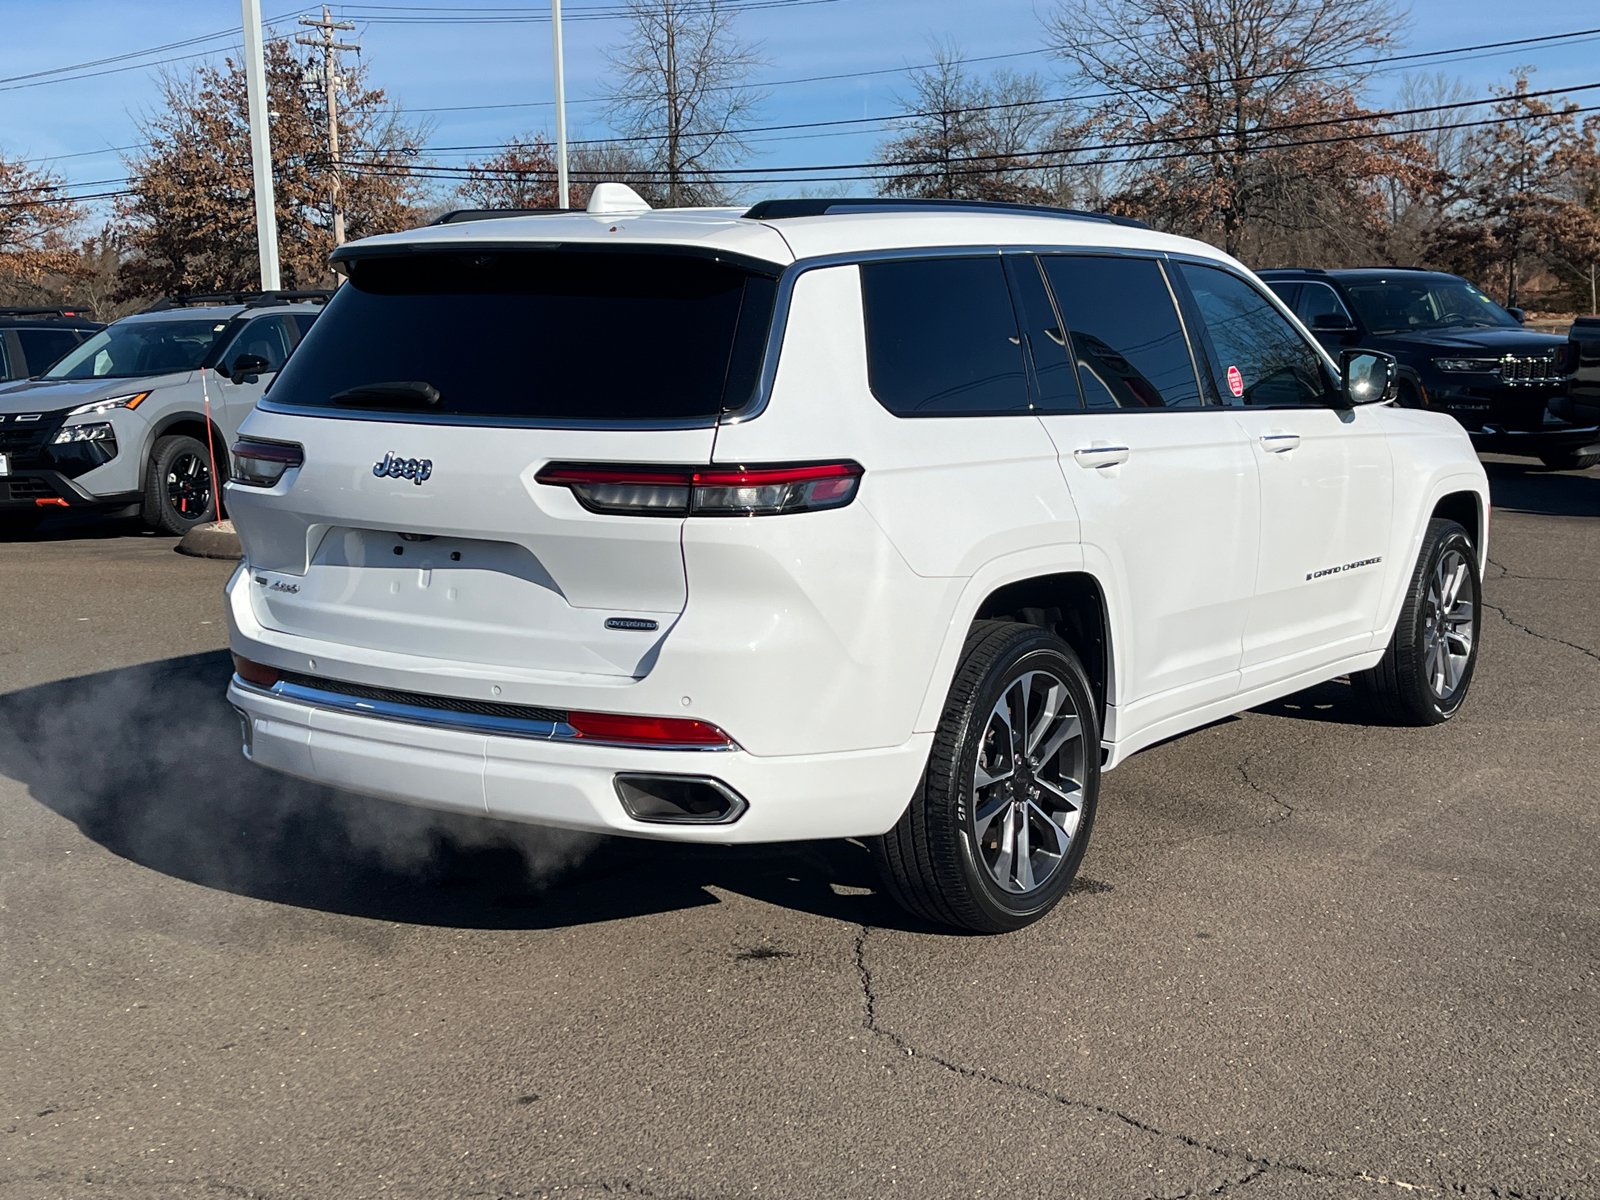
<point>894,521</point>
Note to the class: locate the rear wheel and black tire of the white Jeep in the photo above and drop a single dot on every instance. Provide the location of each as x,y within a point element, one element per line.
<point>945,862</point>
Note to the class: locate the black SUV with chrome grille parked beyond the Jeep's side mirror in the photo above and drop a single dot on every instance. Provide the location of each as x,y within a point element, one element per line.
<point>1460,353</point>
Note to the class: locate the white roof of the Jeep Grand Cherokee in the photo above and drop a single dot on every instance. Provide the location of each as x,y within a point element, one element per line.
<point>790,239</point>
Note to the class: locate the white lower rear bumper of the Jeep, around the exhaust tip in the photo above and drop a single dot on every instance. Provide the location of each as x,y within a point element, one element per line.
<point>572,786</point>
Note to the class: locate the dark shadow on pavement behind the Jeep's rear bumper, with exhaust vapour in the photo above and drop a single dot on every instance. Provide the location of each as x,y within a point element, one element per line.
<point>146,762</point>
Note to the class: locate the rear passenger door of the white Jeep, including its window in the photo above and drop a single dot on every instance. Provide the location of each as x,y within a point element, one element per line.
<point>1164,484</point>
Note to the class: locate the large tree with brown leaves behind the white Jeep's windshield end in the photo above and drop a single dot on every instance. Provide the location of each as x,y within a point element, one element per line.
<point>1238,121</point>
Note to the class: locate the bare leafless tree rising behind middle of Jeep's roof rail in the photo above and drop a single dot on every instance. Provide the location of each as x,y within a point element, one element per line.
<point>978,140</point>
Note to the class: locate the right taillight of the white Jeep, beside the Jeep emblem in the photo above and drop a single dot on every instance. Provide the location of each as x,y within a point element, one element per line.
<point>706,492</point>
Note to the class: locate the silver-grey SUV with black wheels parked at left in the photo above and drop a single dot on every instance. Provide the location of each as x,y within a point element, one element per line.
<point>121,422</point>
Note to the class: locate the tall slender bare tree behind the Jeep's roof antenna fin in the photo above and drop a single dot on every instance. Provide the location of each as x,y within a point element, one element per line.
<point>682,94</point>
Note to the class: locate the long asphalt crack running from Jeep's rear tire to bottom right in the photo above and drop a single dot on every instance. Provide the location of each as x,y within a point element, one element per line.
<point>1258,1166</point>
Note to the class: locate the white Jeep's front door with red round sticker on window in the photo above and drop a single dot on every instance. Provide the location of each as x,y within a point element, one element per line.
<point>1327,482</point>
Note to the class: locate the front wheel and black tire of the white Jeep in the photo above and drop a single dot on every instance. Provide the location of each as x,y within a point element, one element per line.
<point>1417,682</point>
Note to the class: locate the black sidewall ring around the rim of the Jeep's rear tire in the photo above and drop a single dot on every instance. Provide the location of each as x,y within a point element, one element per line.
<point>1041,650</point>
